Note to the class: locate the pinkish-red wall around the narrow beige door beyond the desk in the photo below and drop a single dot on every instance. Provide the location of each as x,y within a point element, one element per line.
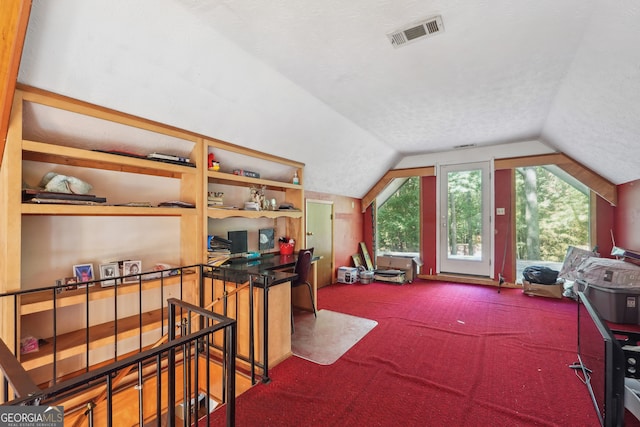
<point>347,226</point>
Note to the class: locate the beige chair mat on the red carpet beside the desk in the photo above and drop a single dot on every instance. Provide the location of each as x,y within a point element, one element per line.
<point>324,339</point>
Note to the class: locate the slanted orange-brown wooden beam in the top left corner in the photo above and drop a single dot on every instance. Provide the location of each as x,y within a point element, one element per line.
<point>14,18</point>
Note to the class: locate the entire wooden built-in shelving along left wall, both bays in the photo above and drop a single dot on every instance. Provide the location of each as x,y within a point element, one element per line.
<point>84,151</point>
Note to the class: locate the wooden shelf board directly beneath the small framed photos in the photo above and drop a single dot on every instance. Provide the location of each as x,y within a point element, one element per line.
<point>42,301</point>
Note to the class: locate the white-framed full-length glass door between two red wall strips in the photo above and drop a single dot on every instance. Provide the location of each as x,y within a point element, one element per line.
<point>465,219</point>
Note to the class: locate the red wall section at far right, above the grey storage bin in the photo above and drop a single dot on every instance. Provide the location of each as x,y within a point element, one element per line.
<point>627,216</point>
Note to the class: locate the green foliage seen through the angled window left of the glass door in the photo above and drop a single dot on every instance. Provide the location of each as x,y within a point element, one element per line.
<point>398,219</point>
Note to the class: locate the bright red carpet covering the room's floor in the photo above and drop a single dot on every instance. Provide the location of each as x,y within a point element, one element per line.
<point>442,354</point>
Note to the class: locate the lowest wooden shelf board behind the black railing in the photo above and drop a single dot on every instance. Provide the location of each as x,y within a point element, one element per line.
<point>74,343</point>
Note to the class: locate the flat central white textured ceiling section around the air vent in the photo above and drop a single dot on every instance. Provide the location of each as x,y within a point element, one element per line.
<point>490,77</point>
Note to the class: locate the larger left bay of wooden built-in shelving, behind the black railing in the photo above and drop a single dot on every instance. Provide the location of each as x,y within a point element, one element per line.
<point>76,147</point>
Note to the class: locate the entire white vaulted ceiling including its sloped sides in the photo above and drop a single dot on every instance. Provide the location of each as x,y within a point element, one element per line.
<point>321,83</point>
